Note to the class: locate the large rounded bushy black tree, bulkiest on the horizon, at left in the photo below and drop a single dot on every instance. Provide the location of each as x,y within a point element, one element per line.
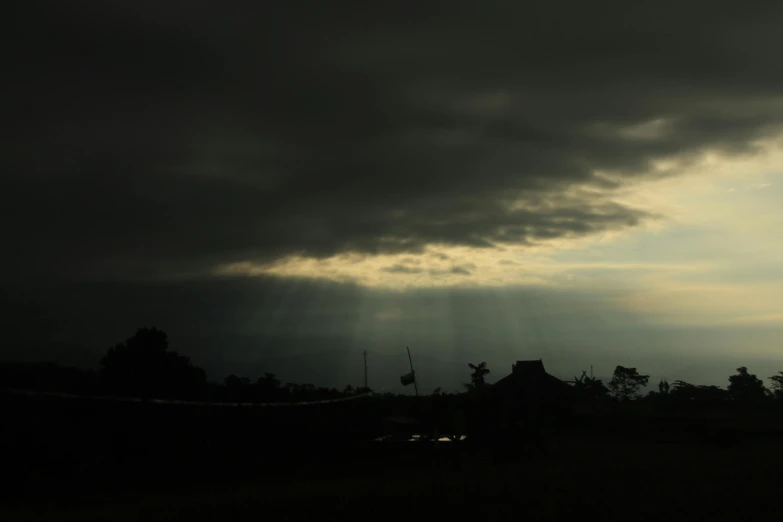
<point>144,365</point>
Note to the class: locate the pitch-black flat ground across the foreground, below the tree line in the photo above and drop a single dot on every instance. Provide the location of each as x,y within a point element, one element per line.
<point>601,474</point>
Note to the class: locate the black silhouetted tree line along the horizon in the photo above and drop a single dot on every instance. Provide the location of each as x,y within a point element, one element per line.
<point>145,366</point>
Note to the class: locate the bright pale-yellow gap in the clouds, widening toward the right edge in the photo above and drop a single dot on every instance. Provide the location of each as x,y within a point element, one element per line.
<point>713,258</point>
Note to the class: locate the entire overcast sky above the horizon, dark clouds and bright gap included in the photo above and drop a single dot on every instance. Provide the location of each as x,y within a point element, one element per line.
<point>282,185</point>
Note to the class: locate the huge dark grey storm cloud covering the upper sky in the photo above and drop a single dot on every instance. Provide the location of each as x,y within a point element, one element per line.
<point>144,139</point>
